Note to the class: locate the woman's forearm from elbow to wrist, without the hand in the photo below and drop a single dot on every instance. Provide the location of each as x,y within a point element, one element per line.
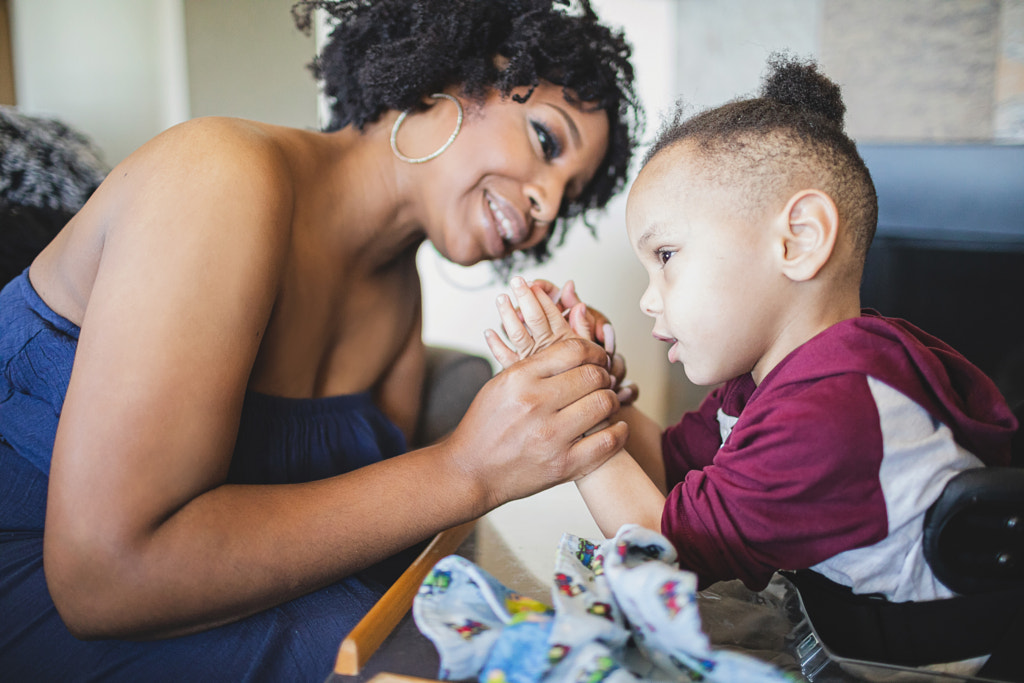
<point>237,550</point>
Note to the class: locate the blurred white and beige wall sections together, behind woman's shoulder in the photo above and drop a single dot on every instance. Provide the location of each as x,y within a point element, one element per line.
<point>123,71</point>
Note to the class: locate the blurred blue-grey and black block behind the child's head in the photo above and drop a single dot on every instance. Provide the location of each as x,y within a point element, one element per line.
<point>949,254</point>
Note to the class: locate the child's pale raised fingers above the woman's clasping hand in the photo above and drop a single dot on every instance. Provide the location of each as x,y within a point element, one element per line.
<point>536,325</point>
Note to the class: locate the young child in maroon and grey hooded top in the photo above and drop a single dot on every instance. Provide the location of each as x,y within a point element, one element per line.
<point>832,430</point>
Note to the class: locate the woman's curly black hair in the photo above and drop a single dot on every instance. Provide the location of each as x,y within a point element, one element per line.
<point>391,55</point>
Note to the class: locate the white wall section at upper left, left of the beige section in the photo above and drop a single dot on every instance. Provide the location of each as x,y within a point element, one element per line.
<point>113,69</point>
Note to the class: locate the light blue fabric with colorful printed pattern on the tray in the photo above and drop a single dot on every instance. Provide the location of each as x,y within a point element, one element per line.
<point>622,612</point>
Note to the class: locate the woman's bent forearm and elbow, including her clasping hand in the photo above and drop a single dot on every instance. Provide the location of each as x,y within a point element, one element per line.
<point>162,559</point>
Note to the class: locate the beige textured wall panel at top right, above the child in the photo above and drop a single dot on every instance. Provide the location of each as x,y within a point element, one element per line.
<point>916,70</point>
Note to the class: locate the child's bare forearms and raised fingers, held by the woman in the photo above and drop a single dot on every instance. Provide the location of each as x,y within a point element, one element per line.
<point>619,492</point>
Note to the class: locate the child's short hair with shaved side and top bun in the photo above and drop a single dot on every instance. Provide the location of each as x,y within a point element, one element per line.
<point>790,138</point>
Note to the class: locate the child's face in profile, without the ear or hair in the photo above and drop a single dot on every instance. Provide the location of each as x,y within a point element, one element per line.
<point>714,289</point>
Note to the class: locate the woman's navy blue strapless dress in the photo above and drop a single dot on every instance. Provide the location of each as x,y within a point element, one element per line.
<point>280,441</point>
